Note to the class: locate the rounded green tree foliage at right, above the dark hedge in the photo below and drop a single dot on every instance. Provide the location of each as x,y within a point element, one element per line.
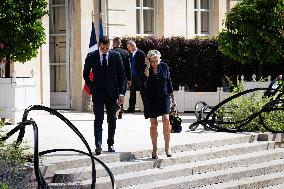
<point>254,31</point>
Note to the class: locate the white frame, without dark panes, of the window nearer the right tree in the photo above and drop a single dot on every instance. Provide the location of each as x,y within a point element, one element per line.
<point>198,10</point>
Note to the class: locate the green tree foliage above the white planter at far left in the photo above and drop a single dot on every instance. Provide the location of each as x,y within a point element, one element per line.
<point>21,30</point>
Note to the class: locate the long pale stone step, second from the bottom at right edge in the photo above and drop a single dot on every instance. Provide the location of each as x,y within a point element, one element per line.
<point>199,180</point>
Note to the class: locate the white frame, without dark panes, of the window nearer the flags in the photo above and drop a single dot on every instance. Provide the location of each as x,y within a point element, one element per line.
<point>141,9</point>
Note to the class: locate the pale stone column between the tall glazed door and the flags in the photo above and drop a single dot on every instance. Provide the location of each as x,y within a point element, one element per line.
<point>81,30</point>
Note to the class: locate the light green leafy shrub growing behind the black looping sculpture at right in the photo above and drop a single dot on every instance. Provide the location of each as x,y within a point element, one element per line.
<point>240,108</point>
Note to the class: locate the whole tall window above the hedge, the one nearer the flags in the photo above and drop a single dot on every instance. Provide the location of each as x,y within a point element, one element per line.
<point>145,17</point>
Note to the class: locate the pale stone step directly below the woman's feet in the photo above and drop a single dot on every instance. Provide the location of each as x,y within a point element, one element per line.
<point>84,173</point>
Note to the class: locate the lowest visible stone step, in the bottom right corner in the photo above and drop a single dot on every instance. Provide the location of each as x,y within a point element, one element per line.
<point>267,181</point>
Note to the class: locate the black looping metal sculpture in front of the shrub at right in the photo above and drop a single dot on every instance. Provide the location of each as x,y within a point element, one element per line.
<point>207,116</point>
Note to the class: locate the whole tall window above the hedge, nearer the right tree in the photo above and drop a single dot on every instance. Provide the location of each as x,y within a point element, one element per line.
<point>202,17</point>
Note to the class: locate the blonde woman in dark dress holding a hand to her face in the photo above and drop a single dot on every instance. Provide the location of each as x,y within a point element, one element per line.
<point>159,95</point>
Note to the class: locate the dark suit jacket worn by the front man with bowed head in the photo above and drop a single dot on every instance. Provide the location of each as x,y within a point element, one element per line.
<point>113,80</point>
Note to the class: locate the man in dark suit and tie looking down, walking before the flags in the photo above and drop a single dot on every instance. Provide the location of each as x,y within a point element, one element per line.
<point>106,87</point>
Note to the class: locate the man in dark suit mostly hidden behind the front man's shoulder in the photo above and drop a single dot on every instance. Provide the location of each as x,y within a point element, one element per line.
<point>126,63</point>
